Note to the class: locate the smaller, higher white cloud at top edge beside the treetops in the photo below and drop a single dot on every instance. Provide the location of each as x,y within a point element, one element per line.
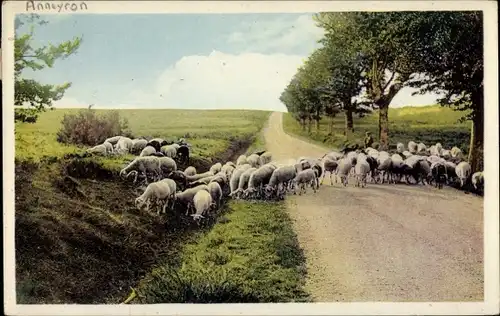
<point>300,34</point>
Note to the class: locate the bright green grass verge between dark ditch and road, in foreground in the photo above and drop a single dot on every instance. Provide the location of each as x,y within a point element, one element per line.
<point>251,257</point>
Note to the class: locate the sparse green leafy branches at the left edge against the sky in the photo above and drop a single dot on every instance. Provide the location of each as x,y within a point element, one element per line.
<point>37,96</point>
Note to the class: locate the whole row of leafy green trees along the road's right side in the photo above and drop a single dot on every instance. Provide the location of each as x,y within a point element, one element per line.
<point>373,55</point>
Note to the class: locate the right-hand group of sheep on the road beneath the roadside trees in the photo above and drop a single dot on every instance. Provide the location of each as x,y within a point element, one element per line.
<point>433,165</point>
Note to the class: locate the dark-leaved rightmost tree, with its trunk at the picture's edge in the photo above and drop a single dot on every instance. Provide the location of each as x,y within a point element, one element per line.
<point>451,61</point>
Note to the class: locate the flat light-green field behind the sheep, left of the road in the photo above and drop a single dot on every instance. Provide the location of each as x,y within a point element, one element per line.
<point>209,131</point>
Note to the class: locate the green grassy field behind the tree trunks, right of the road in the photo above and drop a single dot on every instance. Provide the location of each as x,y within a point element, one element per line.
<point>428,124</point>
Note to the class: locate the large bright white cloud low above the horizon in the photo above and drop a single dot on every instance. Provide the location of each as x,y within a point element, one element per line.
<point>222,81</point>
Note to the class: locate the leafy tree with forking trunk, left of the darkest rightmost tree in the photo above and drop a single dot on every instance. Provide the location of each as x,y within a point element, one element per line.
<point>379,39</point>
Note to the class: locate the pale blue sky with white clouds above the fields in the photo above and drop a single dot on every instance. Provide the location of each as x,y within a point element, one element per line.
<point>195,61</point>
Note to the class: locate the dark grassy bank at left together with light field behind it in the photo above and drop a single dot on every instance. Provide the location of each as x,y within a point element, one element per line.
<point>79,237</point>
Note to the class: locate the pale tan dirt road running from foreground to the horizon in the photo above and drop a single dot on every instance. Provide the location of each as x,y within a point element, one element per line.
<point>384,242</point>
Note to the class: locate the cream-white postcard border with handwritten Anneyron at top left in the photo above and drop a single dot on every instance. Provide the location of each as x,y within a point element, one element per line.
<point>491,216</point>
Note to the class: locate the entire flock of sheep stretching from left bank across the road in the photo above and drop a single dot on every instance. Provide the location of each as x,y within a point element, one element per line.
<point>256,176</point>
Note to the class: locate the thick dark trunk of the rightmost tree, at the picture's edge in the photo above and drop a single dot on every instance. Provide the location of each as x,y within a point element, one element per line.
<point>477,134</point>
